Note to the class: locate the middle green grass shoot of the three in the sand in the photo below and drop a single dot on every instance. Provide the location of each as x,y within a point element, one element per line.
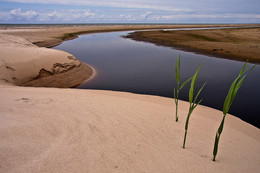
<point>192,101</point>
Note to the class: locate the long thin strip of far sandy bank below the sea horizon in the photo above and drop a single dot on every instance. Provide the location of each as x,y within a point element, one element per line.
<point>52,36</point>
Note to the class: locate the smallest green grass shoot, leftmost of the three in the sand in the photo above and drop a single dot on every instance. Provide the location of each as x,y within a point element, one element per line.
<point>176,94</point>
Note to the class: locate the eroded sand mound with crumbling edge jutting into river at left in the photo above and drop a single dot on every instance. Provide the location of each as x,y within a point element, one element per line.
<point>23,63</point>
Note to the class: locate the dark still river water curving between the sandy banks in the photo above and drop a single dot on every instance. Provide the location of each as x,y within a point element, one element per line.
<point>126,65</point>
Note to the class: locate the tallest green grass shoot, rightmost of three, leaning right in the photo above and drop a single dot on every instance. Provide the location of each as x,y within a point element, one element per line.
<point>228,101</point>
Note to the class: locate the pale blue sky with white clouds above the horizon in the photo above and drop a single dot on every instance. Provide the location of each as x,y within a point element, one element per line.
<point>129,11</point>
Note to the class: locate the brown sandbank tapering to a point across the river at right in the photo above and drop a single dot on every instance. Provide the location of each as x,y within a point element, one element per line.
<point>235,43</point>
